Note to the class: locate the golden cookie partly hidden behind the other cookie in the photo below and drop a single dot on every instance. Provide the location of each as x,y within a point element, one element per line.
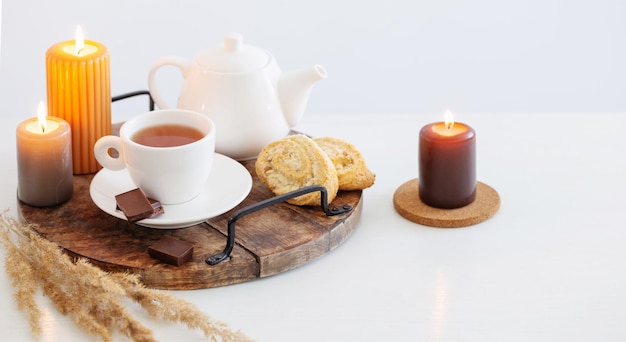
<point>352,172</point>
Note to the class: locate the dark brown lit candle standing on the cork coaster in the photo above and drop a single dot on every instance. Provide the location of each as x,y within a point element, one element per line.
<point>447,164</point>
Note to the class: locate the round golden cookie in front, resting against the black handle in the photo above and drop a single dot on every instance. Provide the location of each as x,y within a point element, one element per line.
<point>294,162</point>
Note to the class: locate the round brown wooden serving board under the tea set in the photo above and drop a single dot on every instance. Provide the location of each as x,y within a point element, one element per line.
<point>270,241</point>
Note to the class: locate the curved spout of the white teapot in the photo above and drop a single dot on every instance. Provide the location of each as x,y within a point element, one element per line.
<point>294,88</point>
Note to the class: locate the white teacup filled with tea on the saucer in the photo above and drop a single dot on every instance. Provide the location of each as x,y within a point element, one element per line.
<point>169,174</point>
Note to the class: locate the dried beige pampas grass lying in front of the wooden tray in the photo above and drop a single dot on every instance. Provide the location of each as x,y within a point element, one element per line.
<point>94,299</point>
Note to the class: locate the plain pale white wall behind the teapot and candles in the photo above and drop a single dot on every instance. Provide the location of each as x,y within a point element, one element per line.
<point>416,56</point>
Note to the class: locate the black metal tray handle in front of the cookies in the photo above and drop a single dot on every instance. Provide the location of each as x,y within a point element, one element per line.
<point>230,243</point>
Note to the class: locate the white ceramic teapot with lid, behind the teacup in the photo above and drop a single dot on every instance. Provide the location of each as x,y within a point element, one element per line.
<point>242,90</point>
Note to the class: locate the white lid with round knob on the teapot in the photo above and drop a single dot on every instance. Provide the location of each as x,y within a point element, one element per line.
<point>233,57</point>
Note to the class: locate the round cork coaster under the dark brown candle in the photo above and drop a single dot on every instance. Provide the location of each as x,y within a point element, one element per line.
<point>407,202</point>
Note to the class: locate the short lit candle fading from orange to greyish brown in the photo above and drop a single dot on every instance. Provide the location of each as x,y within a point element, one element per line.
<point>44,160</point>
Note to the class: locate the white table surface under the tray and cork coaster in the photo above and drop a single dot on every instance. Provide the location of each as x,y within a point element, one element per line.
<point>549,266</point>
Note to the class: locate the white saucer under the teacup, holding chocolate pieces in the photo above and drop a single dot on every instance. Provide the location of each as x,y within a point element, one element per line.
<point>228,185</point>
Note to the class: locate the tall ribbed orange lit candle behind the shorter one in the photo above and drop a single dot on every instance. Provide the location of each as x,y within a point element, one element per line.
<point>79,91</point>
